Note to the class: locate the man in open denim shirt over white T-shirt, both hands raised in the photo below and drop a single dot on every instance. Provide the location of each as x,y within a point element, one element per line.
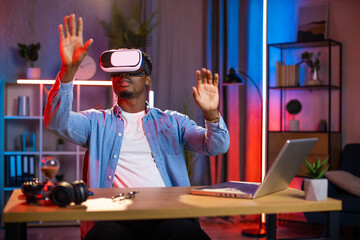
<point>131,144</point>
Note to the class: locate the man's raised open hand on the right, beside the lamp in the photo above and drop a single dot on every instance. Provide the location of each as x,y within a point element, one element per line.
<point>206,93</point>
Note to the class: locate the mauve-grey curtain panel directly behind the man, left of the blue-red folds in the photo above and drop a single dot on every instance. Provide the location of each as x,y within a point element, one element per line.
<point>177,51</point>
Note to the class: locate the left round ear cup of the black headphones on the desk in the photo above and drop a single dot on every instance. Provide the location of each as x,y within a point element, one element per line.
<point>63,194</point>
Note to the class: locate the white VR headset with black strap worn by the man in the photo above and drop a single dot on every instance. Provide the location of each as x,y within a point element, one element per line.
<point>123,61</point>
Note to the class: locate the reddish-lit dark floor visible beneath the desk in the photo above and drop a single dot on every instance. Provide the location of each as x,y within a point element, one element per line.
<point>217,228</point>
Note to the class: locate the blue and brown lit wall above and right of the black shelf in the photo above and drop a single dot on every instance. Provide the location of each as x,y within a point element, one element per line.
<point>343,21</point>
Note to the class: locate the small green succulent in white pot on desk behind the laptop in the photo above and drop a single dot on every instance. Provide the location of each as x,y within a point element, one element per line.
<point>315,185</point>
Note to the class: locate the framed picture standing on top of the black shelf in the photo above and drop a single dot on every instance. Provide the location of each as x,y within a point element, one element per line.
<point>312,23</point>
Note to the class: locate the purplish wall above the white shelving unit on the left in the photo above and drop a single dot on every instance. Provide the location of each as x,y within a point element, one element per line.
<point>37,21</point>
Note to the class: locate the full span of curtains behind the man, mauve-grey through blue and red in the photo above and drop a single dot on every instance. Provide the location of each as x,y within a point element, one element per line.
<point>213,34</point>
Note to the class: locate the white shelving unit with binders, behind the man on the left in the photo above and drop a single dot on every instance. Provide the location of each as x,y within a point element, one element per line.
<point>71,157</point>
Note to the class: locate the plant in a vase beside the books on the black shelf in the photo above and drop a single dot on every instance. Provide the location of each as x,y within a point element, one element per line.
<point>314,67</point>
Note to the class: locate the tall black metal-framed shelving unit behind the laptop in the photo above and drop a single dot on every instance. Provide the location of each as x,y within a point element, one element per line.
<point>319,102</point>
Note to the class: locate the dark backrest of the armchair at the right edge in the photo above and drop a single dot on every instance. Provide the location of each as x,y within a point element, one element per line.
<point>350,159</point>
